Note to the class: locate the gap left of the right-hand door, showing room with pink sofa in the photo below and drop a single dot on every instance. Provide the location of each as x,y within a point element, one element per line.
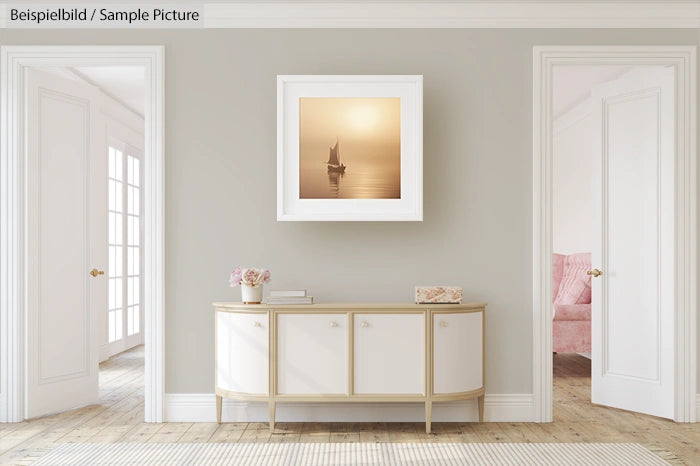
<point>572,233</point>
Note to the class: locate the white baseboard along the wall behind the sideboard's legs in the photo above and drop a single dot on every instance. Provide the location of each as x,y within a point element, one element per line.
<point>201,407</point>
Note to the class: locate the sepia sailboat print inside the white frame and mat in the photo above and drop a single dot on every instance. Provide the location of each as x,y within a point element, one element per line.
<point>349,148</point>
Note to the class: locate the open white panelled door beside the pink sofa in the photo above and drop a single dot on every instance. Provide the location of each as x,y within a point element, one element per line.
<point>633,217</point>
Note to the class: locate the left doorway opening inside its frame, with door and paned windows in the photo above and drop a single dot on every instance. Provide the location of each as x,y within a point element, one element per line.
<point>85,143</point>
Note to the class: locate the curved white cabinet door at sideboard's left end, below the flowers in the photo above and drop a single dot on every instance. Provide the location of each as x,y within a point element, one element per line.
<point>242,352</point>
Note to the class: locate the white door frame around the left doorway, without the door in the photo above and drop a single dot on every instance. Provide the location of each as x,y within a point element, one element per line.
<point>14,61</point>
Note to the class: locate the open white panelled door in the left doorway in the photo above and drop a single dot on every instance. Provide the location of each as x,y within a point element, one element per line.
<point>67,227</point>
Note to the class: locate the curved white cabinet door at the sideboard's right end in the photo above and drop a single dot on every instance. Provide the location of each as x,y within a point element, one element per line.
<point>458,349</point>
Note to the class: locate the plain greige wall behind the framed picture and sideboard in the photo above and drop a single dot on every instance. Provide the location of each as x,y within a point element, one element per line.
<point>220,175</point>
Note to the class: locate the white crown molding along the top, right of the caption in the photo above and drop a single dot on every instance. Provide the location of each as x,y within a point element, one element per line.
<point>457,14</point>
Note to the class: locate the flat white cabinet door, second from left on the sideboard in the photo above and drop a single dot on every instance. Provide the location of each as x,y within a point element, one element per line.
<point>312,353</point>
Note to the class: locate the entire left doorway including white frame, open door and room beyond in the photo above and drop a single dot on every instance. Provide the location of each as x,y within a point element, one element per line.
<point>91,119</point>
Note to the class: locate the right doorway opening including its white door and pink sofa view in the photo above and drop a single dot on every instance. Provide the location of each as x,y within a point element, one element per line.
<point>612,235</point>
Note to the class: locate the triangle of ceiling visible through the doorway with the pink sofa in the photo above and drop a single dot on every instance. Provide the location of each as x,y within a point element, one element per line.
<point>572,84</point>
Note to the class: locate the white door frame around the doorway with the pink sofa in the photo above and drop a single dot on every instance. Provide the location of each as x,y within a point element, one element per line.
<point>683,59</point>
